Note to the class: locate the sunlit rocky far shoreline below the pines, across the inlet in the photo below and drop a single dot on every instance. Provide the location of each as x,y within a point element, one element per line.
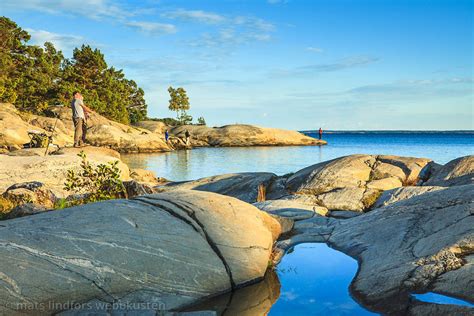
<point>144,137</point>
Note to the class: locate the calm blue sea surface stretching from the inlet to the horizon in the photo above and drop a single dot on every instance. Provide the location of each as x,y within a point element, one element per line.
<point>197,163</point>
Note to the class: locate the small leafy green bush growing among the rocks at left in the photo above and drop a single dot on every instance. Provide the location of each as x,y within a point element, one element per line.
<point>94,183</point>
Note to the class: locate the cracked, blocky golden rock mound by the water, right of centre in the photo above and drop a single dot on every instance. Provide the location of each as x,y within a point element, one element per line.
<point>354,183</point>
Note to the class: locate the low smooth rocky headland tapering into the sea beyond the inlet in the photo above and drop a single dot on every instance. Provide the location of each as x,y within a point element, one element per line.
<point>243,135</point>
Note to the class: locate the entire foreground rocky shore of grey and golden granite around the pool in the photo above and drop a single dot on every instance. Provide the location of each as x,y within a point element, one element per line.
<point>408,221</point>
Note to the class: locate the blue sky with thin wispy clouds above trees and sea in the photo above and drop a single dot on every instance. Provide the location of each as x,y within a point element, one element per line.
<point>297,64</point>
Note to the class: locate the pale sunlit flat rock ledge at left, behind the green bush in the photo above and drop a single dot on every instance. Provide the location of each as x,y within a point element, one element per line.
<point>31,165</point>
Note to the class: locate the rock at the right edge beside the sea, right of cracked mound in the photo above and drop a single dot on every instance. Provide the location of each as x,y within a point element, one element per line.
<point>456,172</point>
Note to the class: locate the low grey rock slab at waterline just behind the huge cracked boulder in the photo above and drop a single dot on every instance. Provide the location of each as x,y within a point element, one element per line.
<point>244,186</point>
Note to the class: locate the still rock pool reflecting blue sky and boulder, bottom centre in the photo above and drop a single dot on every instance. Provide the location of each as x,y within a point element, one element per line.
<point>314,281</point>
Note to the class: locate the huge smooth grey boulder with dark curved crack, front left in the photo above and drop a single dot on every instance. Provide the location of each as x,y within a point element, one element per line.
<point>171,249</point>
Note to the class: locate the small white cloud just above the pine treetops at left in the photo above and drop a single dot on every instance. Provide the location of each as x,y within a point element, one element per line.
<point>64,42</point>
